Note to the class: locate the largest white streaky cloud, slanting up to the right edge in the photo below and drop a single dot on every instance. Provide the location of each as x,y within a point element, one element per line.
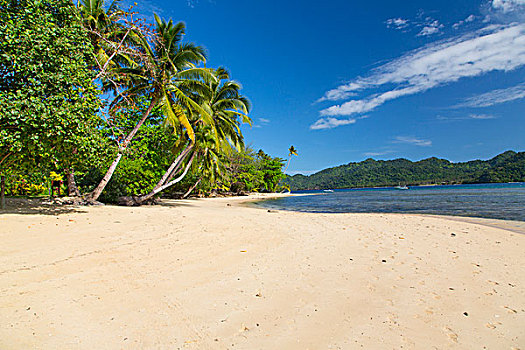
<point>492,48</point>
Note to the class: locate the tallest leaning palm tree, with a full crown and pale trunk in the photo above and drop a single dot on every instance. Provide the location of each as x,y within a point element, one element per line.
<point>169,67</point>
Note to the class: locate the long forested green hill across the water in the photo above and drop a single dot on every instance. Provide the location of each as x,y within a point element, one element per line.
<point>505,167</point>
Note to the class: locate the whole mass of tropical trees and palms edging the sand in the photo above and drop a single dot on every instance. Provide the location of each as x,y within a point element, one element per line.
<point>124,109</point>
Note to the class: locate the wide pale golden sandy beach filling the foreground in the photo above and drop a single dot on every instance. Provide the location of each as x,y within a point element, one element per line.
<point>220,274</point>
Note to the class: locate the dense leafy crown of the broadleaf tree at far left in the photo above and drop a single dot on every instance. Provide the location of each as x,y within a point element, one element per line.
<point>47,99</point>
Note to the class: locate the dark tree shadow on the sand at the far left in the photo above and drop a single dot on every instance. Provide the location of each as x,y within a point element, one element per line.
<point>37,206</point>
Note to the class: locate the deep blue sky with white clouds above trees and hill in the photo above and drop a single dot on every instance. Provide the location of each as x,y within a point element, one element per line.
<point>343,81</point>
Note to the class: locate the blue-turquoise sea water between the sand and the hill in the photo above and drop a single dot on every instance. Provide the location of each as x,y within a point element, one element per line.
<point>496,201</point>
